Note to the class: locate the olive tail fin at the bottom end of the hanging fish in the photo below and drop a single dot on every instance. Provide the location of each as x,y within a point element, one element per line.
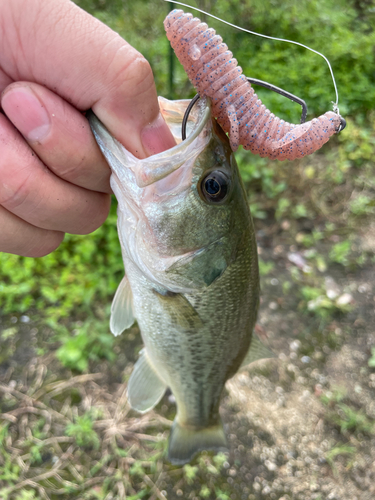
<point>186,442</point>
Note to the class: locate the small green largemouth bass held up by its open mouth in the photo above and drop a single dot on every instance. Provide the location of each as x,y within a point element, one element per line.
<point>191,273</point>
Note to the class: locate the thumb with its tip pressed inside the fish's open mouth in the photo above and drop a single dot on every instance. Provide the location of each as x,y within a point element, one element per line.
<point>60,46</point>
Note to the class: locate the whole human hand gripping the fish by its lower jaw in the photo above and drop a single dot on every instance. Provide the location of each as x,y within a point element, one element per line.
<point>55,62</point>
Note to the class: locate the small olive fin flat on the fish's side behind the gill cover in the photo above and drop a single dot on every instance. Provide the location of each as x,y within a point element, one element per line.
<point>181,313</point>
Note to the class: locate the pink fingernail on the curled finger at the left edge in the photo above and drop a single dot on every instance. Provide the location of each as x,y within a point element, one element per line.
<point>27,113</point>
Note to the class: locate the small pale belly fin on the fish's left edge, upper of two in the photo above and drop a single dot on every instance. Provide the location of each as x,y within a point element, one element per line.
<point>122,309</point>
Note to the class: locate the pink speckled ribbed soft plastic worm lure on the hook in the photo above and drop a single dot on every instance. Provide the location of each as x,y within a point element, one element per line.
<point>214,72</point>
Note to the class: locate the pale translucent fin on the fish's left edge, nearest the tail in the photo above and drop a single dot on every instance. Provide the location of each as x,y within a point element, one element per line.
<point>145,387</point>
